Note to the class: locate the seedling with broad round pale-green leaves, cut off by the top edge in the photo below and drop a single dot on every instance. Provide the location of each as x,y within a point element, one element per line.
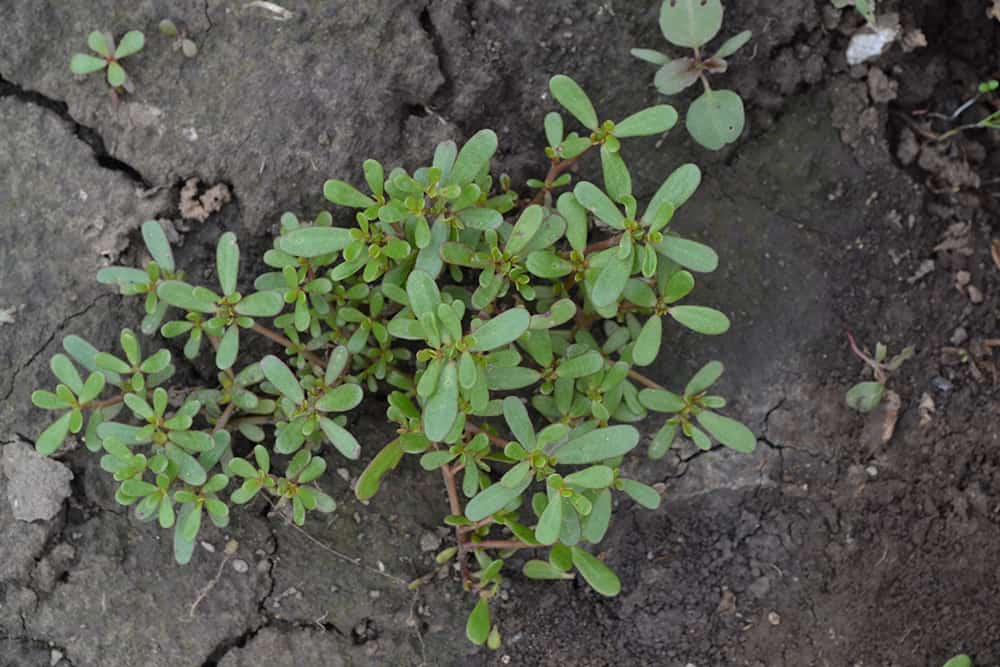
<point>716,117</point>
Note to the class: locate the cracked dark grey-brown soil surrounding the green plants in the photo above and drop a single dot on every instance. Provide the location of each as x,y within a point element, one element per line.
<point>836,211</point>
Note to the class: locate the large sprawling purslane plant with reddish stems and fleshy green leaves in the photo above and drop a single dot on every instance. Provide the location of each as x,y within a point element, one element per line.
<point>453,296</point>
